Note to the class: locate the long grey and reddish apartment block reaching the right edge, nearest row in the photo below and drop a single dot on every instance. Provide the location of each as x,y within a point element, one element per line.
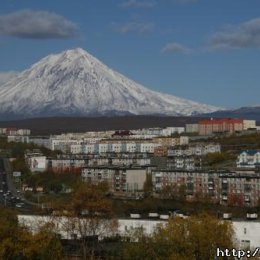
<point>228,188</point>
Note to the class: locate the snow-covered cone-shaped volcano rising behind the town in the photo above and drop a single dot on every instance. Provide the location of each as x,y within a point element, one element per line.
<point>76,83</point>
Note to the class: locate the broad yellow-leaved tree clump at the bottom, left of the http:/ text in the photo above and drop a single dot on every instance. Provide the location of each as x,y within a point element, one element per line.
<point>193,238</point>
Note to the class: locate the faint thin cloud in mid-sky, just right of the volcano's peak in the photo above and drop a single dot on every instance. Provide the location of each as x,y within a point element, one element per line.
<point>134,26</point>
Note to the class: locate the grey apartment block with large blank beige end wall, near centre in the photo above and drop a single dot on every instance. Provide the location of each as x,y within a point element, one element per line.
<point>119,179</point>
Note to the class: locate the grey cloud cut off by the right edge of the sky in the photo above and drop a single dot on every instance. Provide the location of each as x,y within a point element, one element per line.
<point>246,35</point>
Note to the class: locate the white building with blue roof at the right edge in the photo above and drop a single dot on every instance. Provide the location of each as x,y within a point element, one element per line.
<point>249,159</point>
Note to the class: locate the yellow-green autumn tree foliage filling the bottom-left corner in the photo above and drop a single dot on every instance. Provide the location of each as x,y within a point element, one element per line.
<point>17,242</point>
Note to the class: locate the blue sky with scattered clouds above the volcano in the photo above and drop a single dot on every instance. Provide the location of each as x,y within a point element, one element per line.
<point>204,50</point>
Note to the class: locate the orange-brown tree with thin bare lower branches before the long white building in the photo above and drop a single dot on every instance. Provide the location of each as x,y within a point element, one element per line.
<point>89,216</point>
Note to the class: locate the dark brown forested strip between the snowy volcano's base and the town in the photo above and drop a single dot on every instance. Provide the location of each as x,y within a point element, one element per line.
<point>55,125</point>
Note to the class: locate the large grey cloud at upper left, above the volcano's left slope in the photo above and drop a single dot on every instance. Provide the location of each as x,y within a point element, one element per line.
<point>37,25</point>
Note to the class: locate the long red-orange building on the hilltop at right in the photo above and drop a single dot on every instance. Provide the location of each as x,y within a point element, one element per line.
<point>208,127</point>
